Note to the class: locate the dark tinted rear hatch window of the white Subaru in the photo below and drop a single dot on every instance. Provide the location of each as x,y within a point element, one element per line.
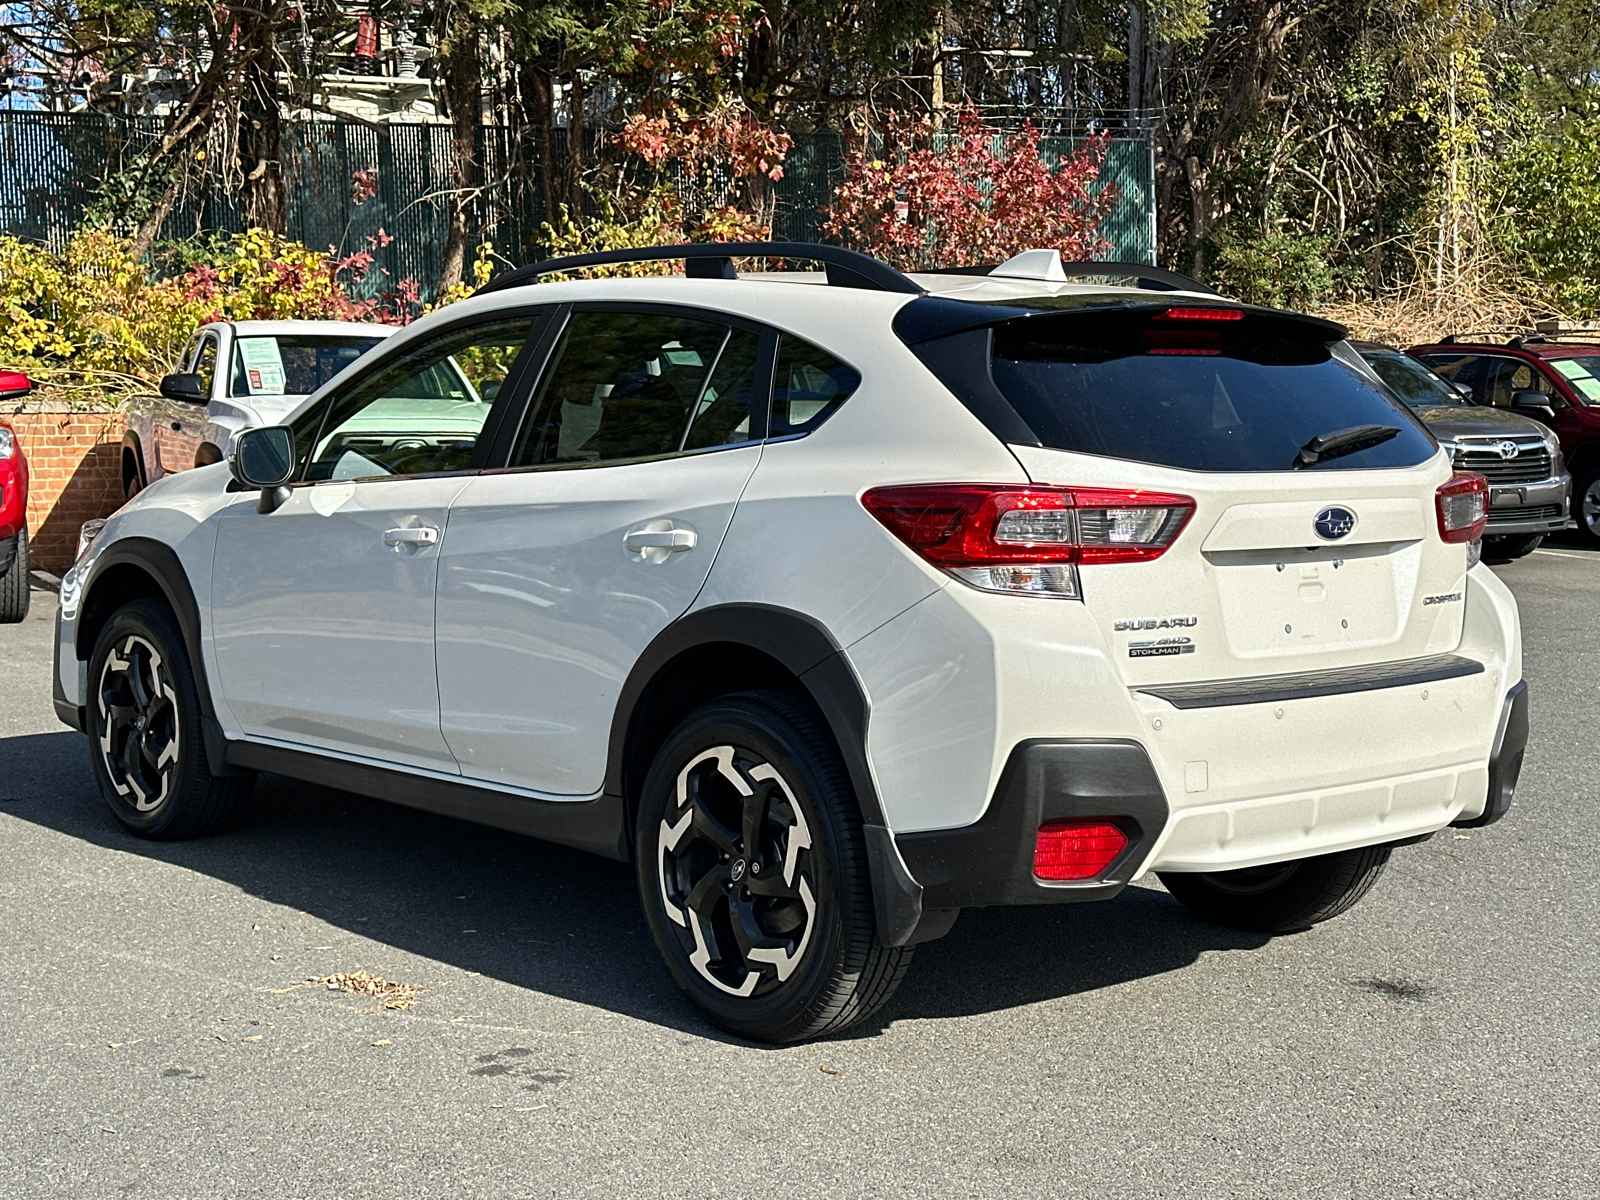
<point>1194,394</point>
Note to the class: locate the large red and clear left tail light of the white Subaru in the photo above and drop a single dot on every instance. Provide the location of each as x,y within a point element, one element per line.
<point>1028,540</point>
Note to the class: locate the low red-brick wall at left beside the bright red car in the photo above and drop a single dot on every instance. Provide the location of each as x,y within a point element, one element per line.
<point>74,465</point>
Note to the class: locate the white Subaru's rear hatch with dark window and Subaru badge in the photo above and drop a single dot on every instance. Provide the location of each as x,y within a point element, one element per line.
<point>1310,548</point>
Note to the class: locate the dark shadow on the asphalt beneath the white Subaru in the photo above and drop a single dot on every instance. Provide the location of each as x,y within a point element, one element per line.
<point>564,922</point>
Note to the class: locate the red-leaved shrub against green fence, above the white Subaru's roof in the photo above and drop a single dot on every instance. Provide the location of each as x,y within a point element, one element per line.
<point>974,196</point>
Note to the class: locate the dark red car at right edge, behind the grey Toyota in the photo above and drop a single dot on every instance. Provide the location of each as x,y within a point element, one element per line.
<point>1554,380</point>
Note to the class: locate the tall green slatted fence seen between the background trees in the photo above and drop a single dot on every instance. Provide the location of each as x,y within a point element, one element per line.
<point>55,167</point>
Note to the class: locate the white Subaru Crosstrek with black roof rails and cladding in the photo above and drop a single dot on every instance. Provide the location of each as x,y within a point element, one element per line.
<point>838,602</point>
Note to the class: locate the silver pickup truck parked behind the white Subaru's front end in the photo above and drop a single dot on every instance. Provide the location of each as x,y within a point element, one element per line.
<point>234,377</point>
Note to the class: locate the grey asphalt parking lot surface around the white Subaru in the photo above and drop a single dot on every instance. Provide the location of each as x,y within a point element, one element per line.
<point>1441,1041</point>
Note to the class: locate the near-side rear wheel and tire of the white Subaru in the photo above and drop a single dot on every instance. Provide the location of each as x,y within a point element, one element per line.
<point>782,959</point>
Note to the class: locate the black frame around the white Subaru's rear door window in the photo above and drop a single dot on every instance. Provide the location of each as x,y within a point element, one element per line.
<point>761,412</point>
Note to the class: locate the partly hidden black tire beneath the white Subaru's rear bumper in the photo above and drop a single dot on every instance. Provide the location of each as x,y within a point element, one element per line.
<point>1281,897</point>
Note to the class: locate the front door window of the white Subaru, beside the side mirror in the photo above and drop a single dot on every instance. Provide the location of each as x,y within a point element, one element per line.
<point>418,414</point>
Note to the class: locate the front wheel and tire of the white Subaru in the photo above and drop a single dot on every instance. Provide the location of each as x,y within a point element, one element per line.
<point>143,721</point>
